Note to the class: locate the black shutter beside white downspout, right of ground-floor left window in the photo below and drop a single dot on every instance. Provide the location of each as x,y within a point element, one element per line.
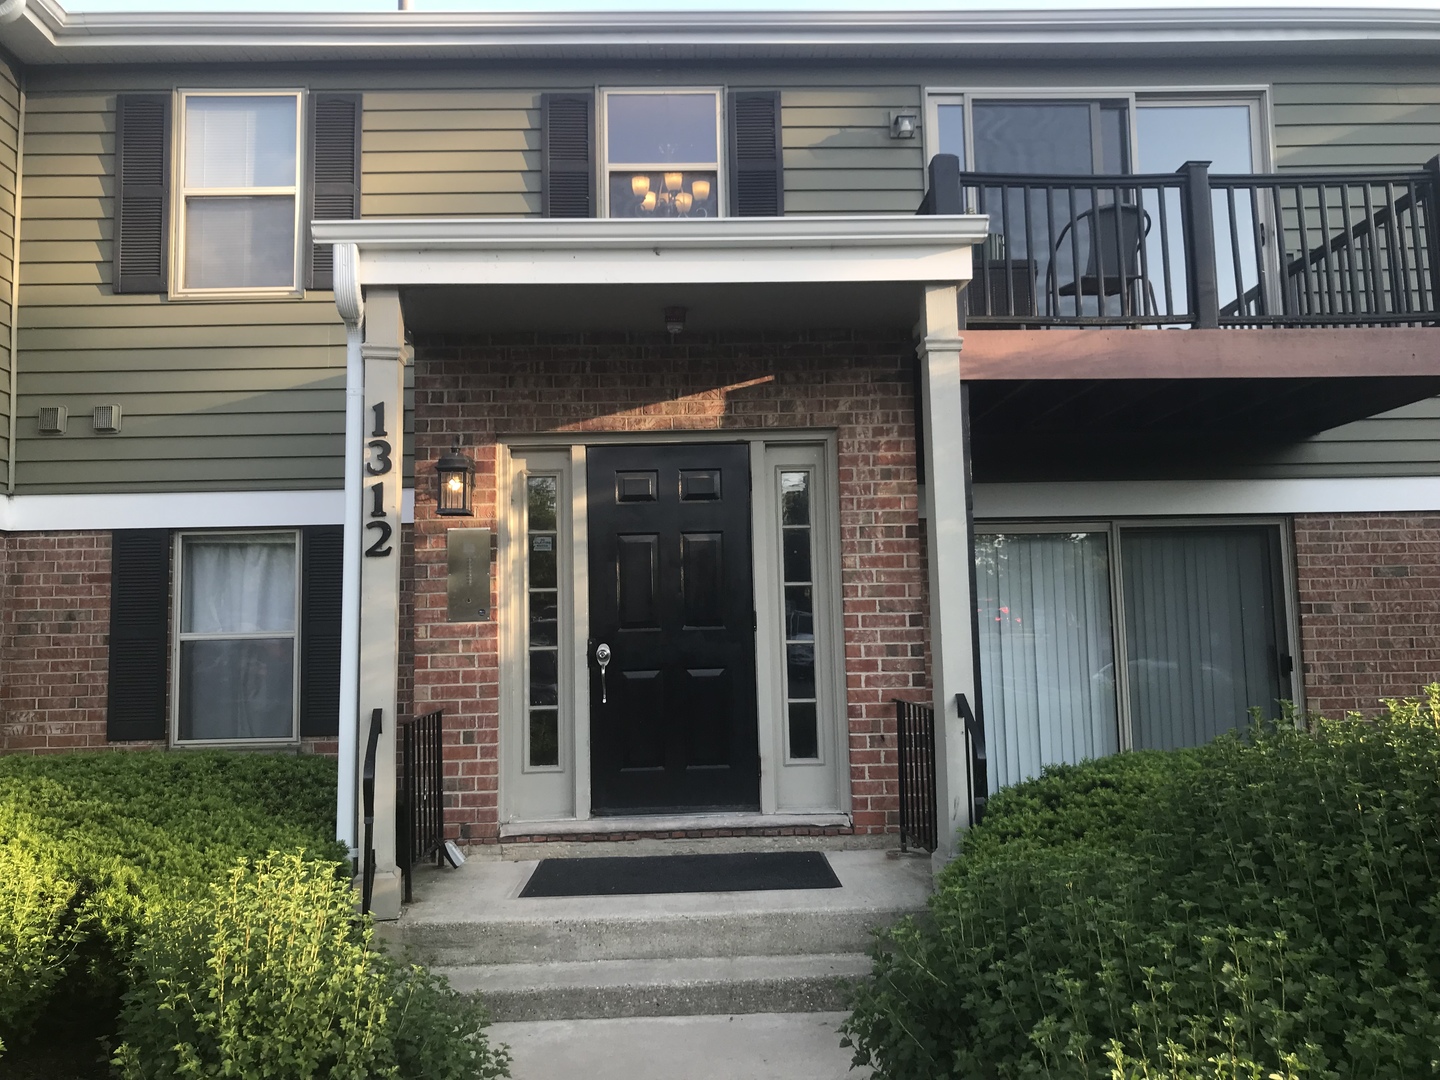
<point>323,562</point>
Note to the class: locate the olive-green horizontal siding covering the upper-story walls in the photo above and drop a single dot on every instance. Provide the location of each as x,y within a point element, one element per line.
<point>250,395</point>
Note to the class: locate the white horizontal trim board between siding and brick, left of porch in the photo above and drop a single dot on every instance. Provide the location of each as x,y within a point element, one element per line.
<point>179,510</point>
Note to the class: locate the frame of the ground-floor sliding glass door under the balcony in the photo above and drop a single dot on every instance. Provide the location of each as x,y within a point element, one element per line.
<point>1112,528</point>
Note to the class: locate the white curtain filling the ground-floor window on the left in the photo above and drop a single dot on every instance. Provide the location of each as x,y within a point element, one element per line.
<point>238,688</point>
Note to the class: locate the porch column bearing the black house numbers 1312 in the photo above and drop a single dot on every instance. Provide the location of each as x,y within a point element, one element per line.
<point>381,470</point>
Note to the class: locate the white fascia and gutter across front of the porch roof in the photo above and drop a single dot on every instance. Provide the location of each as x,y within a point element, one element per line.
<point>627,251</point>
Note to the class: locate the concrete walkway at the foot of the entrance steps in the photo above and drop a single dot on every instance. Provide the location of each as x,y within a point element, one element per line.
<point>760,1046</point>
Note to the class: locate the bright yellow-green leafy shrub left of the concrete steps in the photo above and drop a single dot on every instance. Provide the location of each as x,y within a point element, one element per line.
<point>271,976</point>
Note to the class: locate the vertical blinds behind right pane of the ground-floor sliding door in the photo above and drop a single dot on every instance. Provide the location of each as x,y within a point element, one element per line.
<point>1202,631</point>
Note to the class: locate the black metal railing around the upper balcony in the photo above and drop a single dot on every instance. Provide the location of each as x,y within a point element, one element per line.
<point>1196,250</point>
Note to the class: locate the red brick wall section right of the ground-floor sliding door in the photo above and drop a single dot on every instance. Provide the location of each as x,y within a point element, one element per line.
<point>1370,607</point>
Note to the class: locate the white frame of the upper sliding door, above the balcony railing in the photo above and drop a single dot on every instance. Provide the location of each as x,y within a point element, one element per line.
<point>1258,97</point>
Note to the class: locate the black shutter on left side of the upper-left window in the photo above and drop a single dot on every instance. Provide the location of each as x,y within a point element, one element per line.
<point>142,192</point>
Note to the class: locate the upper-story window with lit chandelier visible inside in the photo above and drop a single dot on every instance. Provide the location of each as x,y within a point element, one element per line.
<point>662,153</point>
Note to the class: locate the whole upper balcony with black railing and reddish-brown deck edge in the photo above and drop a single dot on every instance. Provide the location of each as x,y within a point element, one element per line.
<point>1304,302</point>
